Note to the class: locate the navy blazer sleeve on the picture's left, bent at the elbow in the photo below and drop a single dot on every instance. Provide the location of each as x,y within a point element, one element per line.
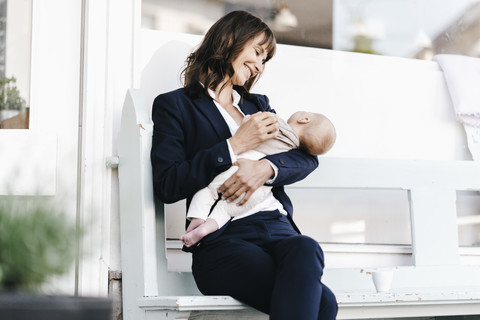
<point>178,170</point>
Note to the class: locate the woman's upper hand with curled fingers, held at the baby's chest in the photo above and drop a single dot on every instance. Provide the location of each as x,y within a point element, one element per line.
<point>253,130</point>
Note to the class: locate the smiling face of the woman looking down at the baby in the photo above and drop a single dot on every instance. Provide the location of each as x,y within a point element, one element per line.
<point>250,61</point>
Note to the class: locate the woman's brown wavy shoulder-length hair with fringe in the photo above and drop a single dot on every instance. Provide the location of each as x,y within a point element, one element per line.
<point>212,61</point>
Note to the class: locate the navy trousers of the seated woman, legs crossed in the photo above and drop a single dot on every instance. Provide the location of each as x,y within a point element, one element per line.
<point>262,261</point>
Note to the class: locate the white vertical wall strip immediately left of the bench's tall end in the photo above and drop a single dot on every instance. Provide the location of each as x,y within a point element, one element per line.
<point>109,64</point>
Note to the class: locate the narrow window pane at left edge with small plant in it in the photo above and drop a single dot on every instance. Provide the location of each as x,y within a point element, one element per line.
<point>15,47</point>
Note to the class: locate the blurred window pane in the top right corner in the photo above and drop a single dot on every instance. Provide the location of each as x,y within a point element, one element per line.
<point>407,28</point>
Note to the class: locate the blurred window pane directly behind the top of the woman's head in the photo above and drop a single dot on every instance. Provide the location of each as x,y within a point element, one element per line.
<point>294,22</point>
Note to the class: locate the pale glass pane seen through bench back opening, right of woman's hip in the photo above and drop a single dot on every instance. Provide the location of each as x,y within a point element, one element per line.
<point>353,216</point>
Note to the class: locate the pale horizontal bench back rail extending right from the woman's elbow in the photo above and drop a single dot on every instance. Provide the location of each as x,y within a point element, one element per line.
<point>392,174</point>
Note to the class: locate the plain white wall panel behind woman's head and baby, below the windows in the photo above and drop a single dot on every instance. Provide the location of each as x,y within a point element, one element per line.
<point>383,107</point>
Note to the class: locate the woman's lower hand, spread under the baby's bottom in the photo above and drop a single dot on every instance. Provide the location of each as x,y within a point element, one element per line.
<point>251,174</point>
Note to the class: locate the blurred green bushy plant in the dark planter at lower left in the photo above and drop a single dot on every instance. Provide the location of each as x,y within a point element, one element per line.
<point>36,241</point>
